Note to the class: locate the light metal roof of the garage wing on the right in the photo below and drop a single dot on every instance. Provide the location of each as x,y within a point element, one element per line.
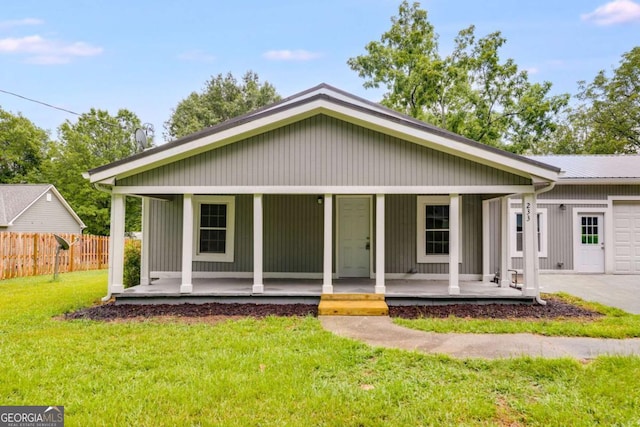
<point>609,168</point>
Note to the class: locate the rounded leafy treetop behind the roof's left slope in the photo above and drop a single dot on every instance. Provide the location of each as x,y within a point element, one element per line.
<point>222,98</point>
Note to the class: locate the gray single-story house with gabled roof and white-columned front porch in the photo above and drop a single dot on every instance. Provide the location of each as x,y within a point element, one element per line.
<point>320,187</point>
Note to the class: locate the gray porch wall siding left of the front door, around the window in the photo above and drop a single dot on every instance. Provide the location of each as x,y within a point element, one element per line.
<point>293,235</point>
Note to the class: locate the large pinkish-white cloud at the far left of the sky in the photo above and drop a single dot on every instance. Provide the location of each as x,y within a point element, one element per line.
<point>39,50</point>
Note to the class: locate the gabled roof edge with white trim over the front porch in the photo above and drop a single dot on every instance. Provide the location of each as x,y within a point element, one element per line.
<point>323,99</point>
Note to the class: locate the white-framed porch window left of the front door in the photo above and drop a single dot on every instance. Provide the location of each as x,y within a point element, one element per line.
<point>214,228</point>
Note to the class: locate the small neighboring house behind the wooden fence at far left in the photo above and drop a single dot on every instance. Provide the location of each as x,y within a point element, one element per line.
<point>36,208</point>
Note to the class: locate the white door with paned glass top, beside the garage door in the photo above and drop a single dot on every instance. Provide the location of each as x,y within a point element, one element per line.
<point>590,243</point>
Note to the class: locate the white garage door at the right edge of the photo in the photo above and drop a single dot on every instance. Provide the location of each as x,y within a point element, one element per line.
<point>626,217</point>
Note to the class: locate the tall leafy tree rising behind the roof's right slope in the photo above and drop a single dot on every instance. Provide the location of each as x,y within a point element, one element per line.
<point>470,92</point>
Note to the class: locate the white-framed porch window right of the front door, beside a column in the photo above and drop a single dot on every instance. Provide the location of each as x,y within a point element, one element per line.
<point>433,229</point>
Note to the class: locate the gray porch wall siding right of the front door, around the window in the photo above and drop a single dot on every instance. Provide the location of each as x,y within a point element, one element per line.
<point>401,236</point>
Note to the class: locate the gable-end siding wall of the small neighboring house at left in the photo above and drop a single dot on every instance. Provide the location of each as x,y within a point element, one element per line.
<point>46,217</point>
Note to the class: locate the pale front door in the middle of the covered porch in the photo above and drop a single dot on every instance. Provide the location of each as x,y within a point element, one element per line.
<point>354,239</point>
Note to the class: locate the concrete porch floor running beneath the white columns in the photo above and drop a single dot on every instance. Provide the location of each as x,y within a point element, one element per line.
<point>309,290</point>
